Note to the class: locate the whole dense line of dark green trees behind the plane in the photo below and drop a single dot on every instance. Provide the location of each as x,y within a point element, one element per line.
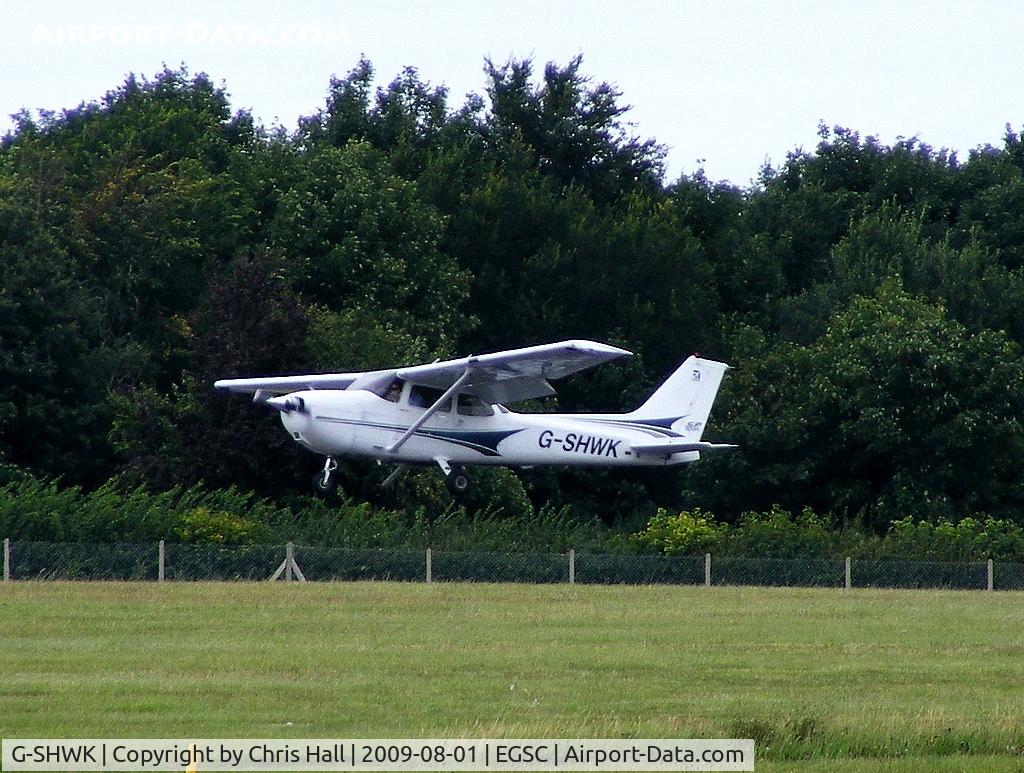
<point>871,296</point>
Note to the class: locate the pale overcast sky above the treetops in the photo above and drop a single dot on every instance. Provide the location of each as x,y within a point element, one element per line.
<point>726,85</point>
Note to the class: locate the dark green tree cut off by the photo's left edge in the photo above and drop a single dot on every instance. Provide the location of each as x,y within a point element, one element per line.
<point>55,363</point>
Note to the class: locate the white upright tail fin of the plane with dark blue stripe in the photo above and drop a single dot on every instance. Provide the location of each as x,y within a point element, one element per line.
<point>686,398</point>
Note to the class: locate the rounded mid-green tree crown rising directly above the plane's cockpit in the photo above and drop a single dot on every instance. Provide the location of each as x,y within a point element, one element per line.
<point>353,237</point>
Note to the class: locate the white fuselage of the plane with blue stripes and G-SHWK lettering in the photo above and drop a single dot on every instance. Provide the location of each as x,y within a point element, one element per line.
<point>359,423</point>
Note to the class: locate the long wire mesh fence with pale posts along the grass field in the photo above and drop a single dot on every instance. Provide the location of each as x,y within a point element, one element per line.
<point>173,562</point>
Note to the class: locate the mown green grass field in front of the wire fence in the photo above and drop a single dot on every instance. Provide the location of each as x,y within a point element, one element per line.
<point>822,679</point>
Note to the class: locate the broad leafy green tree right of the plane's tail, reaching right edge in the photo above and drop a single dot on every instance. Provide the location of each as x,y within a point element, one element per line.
<point>897,410</point>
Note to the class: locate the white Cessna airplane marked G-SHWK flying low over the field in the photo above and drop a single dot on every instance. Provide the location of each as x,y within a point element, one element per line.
<point>451,414</point>
